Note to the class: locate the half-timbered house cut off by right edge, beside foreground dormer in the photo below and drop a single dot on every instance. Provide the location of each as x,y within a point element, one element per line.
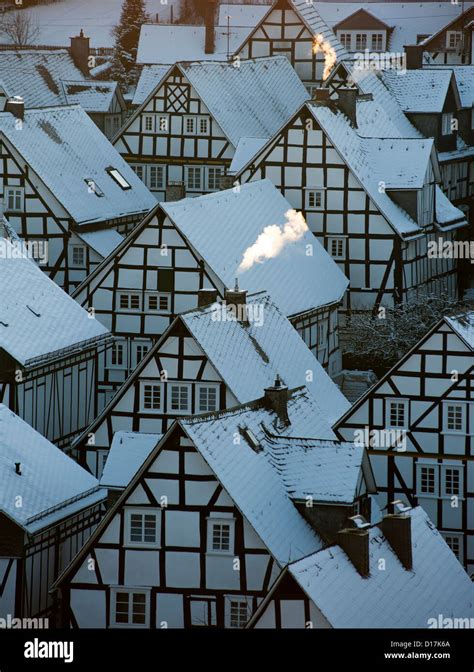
<point>417,422</point>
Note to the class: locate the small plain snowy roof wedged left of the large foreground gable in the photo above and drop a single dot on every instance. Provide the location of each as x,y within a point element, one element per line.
<point>127,453</point>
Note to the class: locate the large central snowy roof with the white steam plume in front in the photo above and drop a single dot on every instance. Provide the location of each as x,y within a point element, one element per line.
<point>223,225</point>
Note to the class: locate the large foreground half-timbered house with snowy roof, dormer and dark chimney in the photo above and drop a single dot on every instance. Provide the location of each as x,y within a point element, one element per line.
<point>219,507</point>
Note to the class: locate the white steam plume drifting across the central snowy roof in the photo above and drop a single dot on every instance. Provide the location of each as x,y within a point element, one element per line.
<point>273,239</point>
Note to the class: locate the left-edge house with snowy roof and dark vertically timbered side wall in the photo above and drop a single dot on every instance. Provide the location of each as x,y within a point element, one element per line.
<point>50,350</point>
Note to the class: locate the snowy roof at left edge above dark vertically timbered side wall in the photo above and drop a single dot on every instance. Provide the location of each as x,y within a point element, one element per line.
<point>37,318</point>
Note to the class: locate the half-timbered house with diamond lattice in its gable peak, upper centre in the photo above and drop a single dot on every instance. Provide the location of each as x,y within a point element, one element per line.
<point>192,123</point>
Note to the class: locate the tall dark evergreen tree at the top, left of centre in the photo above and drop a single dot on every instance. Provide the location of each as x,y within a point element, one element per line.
<point>126,34</point>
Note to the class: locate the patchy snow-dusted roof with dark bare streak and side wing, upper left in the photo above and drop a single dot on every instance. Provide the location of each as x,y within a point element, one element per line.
<point>48,77</point>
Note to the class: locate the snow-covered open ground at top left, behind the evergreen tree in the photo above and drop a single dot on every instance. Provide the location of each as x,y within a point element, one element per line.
<point>58,21</point>
